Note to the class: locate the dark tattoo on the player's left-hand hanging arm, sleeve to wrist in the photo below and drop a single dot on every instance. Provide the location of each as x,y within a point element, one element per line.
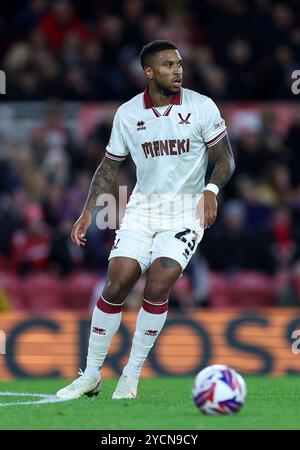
<point>102,181</point>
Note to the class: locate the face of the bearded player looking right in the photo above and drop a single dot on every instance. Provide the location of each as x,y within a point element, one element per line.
<point>166,71</point>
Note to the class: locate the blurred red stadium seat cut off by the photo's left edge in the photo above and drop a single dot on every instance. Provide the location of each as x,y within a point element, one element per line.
<point>11,288</point>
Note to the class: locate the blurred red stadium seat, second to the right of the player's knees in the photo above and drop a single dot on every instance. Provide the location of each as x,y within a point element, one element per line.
<point>252,289</point>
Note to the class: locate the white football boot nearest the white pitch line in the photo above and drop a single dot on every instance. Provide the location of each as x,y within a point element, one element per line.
<point>83,385</point>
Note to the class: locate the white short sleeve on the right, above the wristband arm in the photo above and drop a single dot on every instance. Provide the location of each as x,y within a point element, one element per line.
<point>214,128</point>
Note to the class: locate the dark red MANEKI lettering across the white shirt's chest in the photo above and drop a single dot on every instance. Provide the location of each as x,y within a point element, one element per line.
<point>168,147</point>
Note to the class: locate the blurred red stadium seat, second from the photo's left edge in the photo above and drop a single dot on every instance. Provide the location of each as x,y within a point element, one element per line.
<point>43,292</point>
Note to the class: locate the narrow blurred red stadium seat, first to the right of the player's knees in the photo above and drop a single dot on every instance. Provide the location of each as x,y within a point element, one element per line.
<point>219,291</point>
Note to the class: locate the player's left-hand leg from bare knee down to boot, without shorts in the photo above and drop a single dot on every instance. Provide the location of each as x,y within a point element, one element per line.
<point>122,274</point>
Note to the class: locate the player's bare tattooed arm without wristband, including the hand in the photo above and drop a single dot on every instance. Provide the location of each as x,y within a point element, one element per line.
<point>102,181</point>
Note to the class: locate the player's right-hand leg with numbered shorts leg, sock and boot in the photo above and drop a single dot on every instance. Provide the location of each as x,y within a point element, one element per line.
<point>171,253</point>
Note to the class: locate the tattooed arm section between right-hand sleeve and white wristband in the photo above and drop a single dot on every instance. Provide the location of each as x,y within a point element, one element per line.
<point>224,162</point>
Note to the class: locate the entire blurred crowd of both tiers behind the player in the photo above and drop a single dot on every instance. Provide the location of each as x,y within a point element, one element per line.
<point>73,50</point>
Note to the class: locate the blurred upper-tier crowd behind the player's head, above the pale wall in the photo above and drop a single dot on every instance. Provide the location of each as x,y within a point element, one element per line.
<point>75,50</point>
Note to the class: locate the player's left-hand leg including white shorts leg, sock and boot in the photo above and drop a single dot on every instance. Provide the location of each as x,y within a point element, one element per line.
<point>129,257</point>
